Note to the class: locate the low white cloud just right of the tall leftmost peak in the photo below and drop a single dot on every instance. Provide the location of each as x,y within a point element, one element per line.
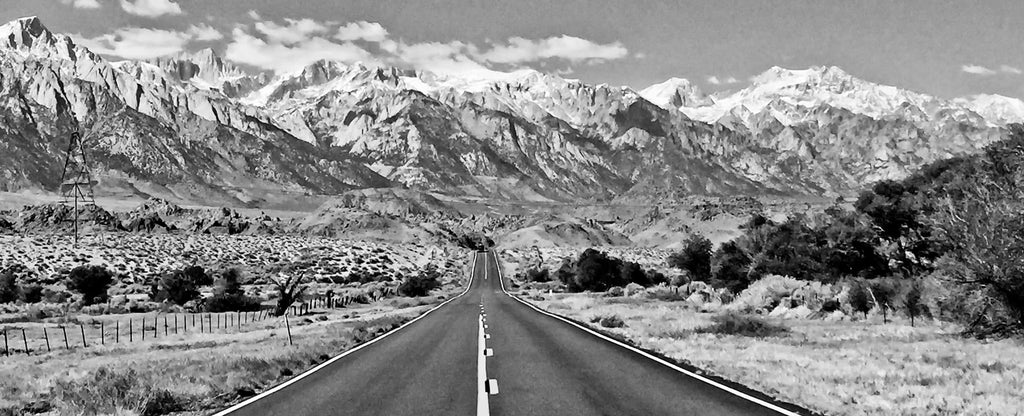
<point>137,44</point>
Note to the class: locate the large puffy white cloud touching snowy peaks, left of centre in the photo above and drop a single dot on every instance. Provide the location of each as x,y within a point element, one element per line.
<point>280,58</point>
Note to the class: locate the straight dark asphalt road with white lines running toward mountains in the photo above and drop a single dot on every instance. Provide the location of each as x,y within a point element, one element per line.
<point>542,366</point>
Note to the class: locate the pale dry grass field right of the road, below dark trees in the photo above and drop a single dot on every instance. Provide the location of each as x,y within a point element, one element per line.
<point>837,368</point>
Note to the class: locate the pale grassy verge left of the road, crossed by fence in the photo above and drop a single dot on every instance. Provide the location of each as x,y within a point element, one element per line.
<point>195,373</point>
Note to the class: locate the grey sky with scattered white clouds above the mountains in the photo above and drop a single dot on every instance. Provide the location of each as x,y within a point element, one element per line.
<point>943,48</point>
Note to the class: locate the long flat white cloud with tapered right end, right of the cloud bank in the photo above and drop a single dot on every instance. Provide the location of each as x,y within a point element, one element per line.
<point>519,51</point>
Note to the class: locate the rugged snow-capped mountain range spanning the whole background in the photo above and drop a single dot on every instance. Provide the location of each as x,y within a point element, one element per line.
<point>196,128</point>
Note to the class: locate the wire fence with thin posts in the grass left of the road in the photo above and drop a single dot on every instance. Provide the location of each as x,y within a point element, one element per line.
<point>47,339</point>
